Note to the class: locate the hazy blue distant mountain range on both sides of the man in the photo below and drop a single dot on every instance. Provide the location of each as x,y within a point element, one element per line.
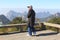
<point>12,14</point>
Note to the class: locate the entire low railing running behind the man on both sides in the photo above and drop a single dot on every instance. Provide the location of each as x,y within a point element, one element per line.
<point>20,27</point>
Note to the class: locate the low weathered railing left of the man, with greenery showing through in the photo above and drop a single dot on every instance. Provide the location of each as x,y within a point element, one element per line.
<point>20,27</point>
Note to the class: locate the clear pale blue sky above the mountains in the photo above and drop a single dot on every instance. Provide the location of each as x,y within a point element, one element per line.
<point>22,4</point>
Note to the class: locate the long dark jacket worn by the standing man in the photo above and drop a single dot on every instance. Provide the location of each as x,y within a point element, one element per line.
<point>31,17</point>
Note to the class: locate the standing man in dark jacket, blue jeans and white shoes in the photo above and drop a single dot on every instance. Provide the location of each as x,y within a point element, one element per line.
<point>31,21</point>
